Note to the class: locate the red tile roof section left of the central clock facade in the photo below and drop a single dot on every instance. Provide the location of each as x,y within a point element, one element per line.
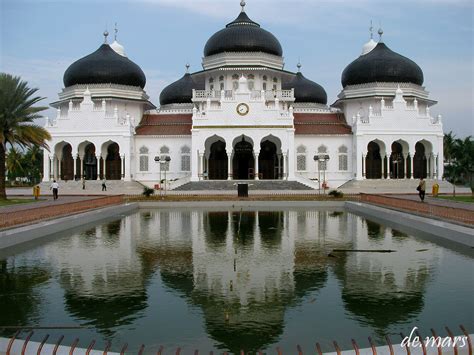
<point>165,125</point>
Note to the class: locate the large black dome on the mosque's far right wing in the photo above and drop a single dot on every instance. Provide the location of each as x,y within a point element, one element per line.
<point>382,65</point>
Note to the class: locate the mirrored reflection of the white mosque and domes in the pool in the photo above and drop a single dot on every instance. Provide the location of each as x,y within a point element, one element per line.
<point>242,269</point>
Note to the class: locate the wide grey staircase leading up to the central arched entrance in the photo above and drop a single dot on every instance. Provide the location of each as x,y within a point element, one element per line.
<point>231,185</point>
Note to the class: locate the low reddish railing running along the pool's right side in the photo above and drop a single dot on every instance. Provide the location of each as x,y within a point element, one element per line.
<point>455,214</point>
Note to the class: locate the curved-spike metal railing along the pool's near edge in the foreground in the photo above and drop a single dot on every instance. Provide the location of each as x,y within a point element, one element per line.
<point>427,345</point>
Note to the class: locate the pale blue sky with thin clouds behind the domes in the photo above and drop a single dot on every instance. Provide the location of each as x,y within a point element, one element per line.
<point>39,39</point>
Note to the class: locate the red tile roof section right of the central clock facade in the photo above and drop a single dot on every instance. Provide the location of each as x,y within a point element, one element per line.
<point>321,123</point>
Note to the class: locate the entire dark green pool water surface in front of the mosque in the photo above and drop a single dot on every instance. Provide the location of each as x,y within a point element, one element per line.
<point>228,280</point>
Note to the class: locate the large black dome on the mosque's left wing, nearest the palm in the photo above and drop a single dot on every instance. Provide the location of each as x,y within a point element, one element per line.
<point>102,67</point>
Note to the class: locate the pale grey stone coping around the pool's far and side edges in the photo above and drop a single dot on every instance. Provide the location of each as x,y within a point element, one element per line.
<point>405,222</point>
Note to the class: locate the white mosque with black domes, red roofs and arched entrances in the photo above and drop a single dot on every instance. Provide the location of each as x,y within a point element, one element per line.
<point>244,117</point>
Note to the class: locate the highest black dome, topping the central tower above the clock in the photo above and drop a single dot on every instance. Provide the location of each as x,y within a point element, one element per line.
<point>243,35</point>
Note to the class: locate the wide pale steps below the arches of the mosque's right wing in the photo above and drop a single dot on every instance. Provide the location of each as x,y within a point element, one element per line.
<point>392,186</point>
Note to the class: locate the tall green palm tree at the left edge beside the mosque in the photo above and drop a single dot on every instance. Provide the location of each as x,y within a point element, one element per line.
<point>17,116</point>
